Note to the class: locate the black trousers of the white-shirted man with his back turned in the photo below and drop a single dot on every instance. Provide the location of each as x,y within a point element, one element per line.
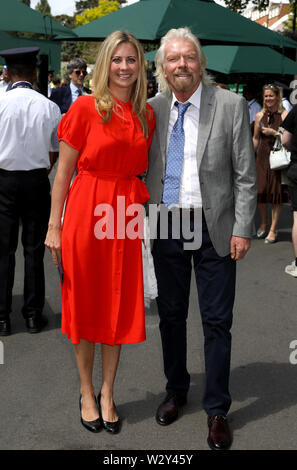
<point>25,197</point>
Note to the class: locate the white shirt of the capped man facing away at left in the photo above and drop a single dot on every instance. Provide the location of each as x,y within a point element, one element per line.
<point>29,124</point>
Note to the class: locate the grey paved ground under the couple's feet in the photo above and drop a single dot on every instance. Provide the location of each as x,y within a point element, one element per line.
<point>40,387</point>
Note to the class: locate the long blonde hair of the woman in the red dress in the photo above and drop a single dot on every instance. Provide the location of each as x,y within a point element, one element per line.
<point>104,101</point>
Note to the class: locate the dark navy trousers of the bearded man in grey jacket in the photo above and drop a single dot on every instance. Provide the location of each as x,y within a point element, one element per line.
<point>215,280</point>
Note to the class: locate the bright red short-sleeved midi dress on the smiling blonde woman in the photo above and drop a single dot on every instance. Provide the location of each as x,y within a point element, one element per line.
<point>102,292</point>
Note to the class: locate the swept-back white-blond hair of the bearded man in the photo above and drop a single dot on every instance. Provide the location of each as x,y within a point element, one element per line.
<point>180,33</point>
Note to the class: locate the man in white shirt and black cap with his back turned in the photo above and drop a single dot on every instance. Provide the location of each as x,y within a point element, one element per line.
<point>28,150</point>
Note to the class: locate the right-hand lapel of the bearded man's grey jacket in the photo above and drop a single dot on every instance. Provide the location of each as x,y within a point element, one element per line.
<point>207,111</point>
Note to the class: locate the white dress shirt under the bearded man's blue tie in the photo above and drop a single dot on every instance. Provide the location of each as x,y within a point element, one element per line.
<point>190,194</point>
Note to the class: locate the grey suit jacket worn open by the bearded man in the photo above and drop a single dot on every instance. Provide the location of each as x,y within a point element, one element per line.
<point>225,159</point>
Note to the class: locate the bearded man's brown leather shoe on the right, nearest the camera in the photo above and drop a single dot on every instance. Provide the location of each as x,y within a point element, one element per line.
<point>219,436</point>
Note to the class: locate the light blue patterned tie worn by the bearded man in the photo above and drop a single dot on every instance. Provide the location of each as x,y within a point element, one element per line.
<point>175,158</point>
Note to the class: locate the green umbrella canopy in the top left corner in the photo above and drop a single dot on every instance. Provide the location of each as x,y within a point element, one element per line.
<point>16,16</point>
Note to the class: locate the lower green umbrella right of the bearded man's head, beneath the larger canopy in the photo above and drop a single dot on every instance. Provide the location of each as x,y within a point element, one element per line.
<point>244,59</point>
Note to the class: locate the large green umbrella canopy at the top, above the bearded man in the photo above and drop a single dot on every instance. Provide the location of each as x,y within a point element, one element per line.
<point>151,19</point>
